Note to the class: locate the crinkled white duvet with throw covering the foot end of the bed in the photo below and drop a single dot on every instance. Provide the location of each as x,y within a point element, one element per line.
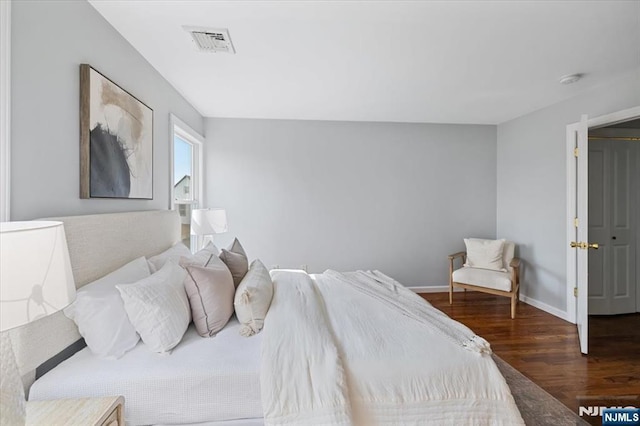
<point>360,349</point>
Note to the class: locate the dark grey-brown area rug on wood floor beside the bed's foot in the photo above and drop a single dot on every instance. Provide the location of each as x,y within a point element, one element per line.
<point>536,405</point>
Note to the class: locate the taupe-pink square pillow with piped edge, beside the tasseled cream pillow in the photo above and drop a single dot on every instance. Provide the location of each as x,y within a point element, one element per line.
<point>210,290</point>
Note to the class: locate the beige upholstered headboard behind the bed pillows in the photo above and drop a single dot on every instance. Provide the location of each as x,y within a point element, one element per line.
<point>98,244</point>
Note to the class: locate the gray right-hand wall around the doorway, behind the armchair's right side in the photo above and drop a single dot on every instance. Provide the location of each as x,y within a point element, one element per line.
<point>532,183</point>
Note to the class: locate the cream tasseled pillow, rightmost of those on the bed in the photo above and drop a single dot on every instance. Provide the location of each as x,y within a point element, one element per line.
<point>253,298</point>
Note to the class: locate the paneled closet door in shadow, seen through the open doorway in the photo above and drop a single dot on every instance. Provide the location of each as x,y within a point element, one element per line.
<point>612,223</point>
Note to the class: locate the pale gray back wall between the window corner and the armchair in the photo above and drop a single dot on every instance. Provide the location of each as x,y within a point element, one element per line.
<point>346,195</point>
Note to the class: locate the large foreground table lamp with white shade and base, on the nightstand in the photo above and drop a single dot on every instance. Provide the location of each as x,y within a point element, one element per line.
<point>36,280</point>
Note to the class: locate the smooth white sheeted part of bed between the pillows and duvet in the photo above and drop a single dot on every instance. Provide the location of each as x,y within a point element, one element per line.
<point>202,380</point>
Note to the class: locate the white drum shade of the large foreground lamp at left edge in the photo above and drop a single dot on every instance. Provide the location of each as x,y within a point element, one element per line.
<point>36,279</point>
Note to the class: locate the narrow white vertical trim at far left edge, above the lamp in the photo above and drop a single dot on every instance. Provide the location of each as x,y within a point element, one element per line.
<point>5,107</point>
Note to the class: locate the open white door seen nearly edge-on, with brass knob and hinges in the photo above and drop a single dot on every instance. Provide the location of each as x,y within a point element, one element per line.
<point>577,208</point>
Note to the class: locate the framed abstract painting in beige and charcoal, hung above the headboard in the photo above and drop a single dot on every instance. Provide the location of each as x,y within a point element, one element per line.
<point>116,140</point>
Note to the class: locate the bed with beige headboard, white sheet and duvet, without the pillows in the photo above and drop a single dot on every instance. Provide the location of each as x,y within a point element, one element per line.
<point>336,348</point>
